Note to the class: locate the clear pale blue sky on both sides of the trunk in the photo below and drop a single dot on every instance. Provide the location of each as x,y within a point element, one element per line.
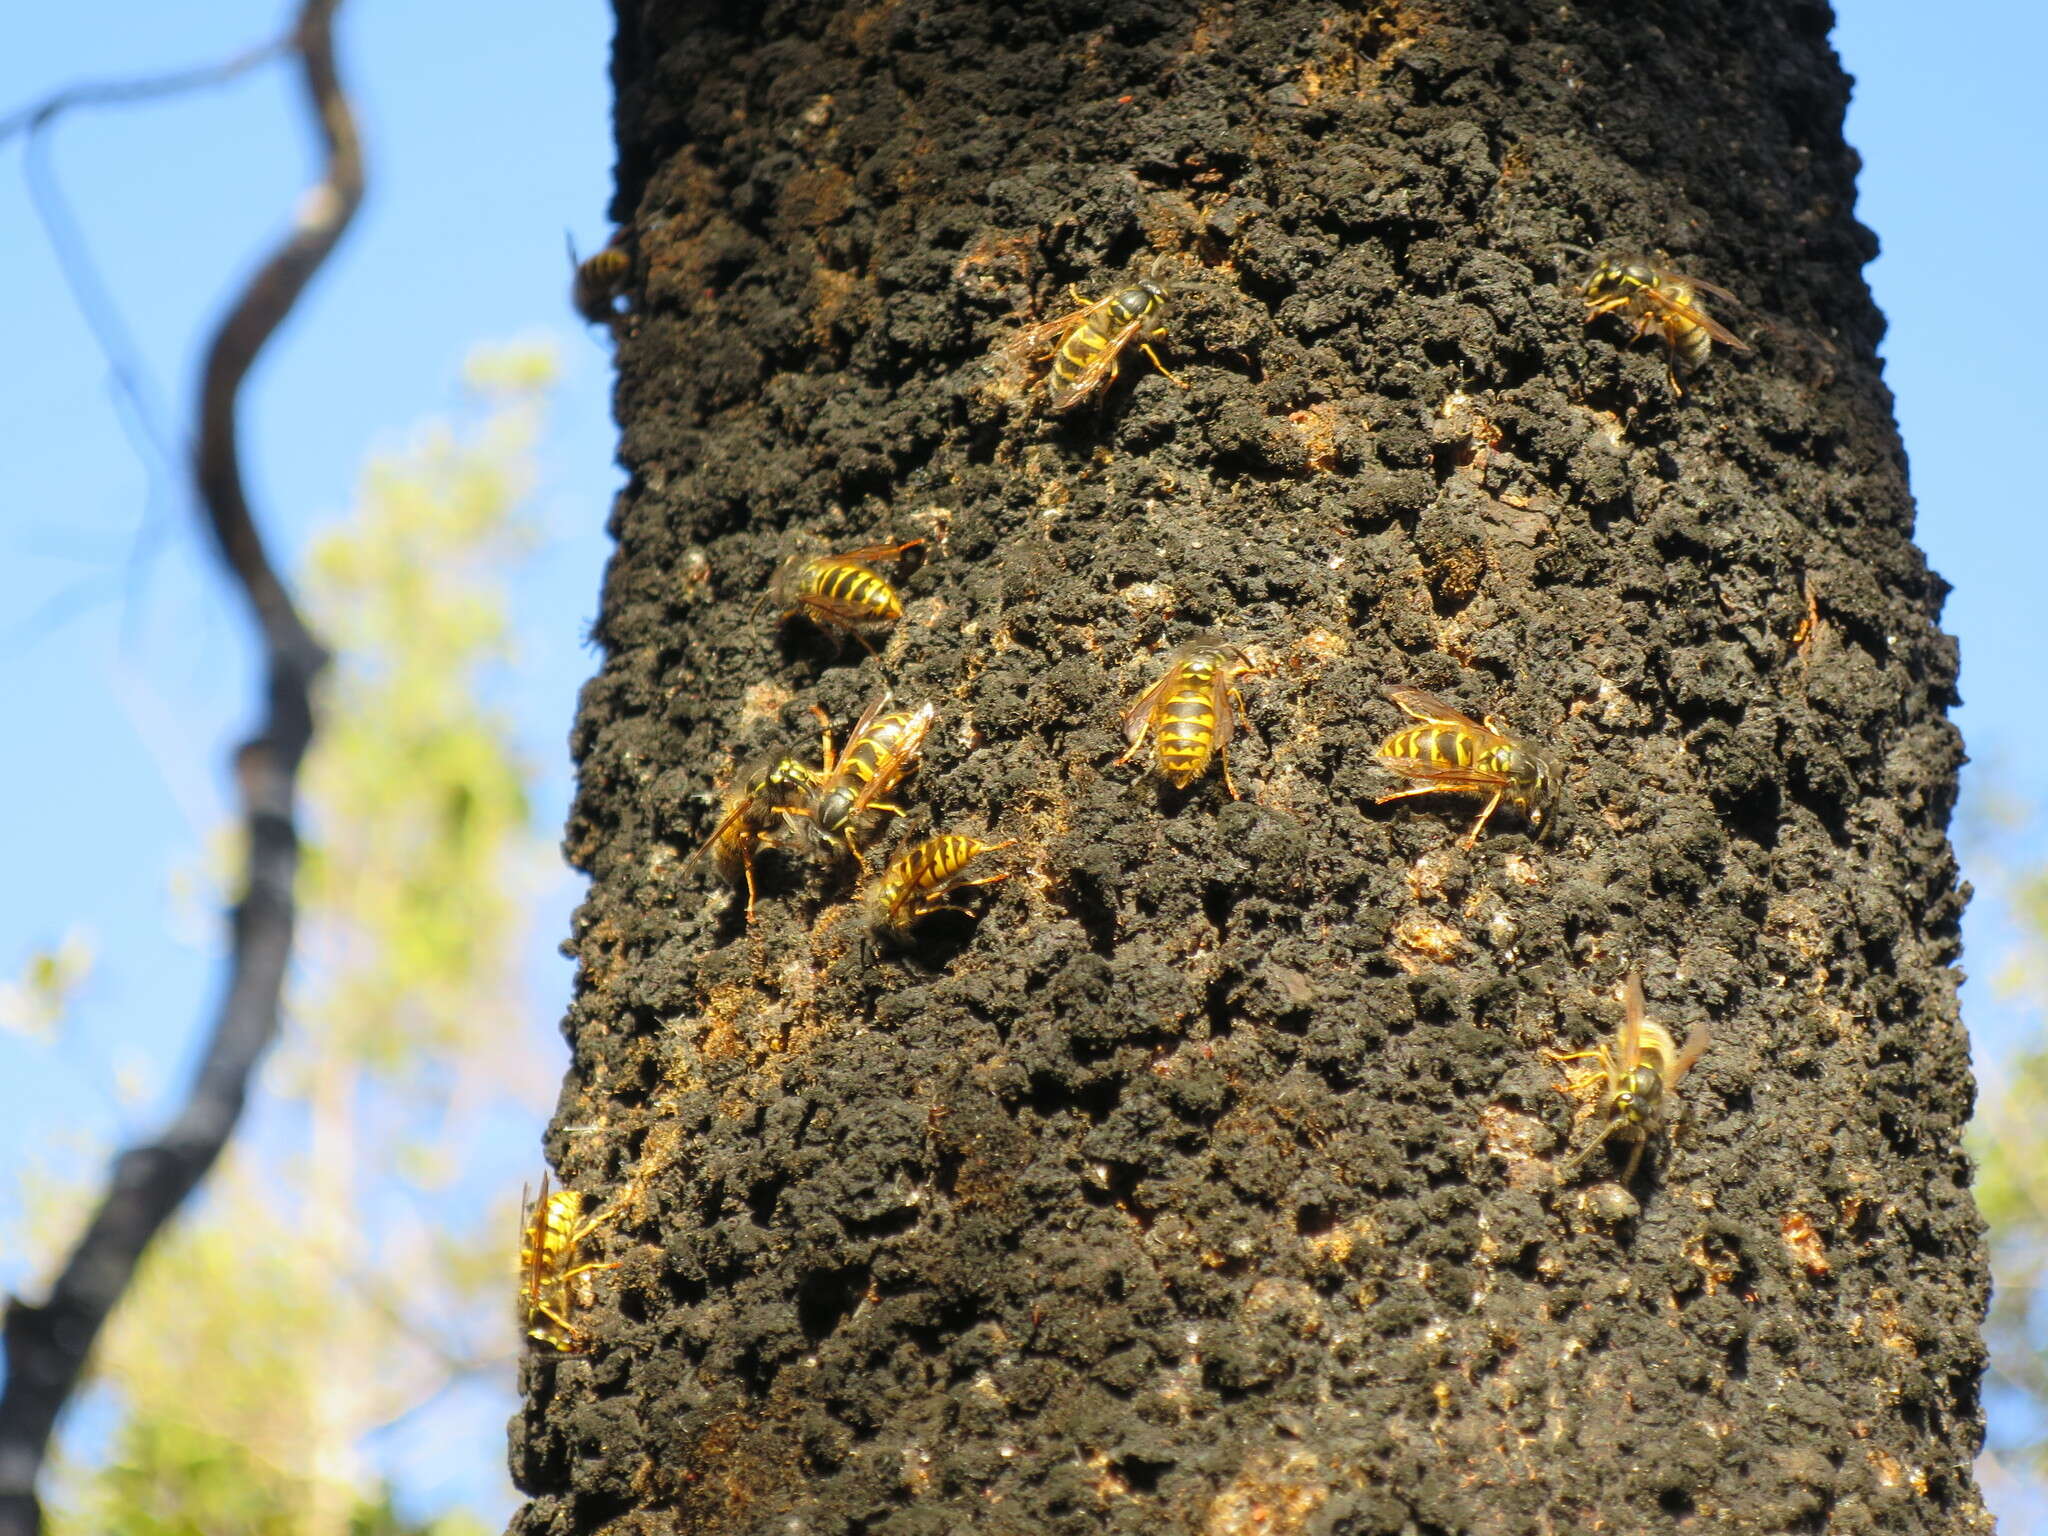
<point>488,128</point>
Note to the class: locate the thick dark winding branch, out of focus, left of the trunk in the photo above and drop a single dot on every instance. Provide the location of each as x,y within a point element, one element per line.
<point>48,1345</point>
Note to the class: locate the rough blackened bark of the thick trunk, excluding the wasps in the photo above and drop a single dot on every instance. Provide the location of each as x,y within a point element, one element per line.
<point>1207,1185</point>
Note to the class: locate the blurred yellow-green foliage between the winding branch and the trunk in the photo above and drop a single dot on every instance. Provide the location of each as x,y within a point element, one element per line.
<point>316,1293</point>
